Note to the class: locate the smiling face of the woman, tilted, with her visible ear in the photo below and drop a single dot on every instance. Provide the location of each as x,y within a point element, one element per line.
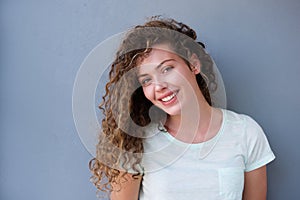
<point>166,79</point>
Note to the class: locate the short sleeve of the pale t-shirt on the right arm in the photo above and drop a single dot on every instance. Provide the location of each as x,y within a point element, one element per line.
<point>258,150</point>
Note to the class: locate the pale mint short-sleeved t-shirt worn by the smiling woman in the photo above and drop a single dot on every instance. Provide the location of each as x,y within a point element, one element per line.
<point>212,170</point>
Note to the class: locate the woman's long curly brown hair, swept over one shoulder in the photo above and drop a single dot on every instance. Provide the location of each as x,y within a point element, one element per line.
<point>124,106</point>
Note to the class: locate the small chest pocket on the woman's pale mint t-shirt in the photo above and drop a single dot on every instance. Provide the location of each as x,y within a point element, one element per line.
<point>231,182</point>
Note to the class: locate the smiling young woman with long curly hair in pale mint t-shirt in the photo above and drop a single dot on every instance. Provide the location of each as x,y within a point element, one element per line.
<point>162,138</point>
